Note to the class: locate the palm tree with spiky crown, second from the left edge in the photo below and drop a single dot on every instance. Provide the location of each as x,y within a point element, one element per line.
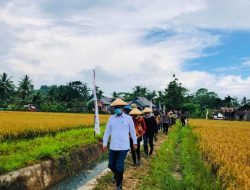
<point>25,87</point>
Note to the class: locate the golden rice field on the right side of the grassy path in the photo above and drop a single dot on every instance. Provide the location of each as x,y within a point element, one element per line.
<point>226,146</point>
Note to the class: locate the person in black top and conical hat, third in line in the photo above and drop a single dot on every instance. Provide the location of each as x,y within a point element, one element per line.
<point>151,130</point>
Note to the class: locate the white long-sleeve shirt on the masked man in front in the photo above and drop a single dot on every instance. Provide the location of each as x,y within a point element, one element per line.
<point>119,128</point>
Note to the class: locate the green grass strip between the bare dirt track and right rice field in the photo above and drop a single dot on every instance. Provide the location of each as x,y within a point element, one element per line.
<point>179,165</point>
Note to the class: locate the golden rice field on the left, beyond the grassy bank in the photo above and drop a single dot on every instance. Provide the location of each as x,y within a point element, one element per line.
<point>14,125</point>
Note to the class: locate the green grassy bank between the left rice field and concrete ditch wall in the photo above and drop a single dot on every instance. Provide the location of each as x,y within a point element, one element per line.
<point>17,154</point>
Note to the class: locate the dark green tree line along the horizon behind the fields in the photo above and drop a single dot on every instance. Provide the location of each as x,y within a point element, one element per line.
<point>76,96</point>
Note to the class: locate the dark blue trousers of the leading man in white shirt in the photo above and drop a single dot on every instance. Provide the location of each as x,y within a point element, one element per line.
<point>116,164</point>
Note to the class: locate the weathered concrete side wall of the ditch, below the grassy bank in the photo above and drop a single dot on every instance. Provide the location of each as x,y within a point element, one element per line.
<point>49,172</point>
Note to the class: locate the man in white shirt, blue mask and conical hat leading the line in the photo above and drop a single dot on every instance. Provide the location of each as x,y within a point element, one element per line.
<point>119,127</point>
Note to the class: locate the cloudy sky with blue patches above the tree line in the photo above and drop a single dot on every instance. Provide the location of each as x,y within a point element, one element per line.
<point>205,43</point>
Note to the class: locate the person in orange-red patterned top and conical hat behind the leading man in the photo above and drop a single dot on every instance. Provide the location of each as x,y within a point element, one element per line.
<point>140,128</point>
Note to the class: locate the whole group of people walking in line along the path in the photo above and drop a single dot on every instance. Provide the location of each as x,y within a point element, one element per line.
<point>128,130</point>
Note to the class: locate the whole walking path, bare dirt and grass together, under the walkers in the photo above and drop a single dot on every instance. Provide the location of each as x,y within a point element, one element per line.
<point>176,164</point>
